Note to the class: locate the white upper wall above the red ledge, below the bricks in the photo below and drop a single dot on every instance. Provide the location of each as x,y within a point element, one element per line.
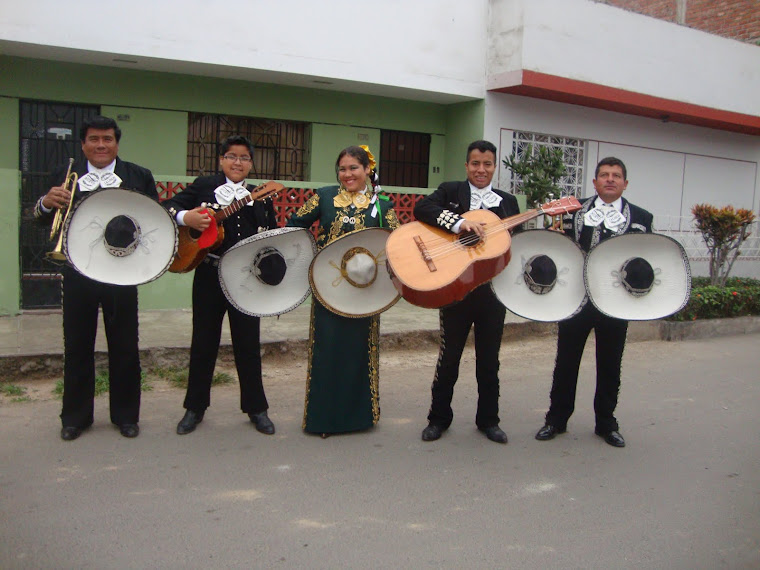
<point>601,44</point>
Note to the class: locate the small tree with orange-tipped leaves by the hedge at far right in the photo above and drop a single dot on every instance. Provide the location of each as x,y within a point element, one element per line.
<point>724,230</point>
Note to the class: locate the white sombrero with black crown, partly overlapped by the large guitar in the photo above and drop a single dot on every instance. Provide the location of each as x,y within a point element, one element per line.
<point>544,281</point>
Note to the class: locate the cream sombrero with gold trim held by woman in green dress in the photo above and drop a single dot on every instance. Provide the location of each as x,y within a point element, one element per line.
<point>349,275</point>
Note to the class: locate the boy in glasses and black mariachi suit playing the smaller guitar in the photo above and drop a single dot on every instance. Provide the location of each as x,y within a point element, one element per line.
<point>190,208</point>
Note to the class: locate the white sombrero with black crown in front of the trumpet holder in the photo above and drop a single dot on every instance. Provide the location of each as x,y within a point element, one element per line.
<point>120,236</point>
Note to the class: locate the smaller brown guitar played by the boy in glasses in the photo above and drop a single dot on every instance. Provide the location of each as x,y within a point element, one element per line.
<point>193,245</point>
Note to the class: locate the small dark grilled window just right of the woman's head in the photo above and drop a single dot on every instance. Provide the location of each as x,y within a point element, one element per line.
<point>404,158</point>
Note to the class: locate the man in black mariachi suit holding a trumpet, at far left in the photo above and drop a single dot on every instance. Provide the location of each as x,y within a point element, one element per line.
<point>82,296</point>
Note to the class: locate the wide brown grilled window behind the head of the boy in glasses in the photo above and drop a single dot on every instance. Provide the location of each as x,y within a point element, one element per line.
<point>280,147</point>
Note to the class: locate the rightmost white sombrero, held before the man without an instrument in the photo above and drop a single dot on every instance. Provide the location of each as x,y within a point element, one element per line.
<point>638,277</point>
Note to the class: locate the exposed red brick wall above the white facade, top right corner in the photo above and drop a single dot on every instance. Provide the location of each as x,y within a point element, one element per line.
<point>735,19</point>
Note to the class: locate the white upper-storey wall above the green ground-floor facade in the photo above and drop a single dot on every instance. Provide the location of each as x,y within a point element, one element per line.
<point>428,45</point>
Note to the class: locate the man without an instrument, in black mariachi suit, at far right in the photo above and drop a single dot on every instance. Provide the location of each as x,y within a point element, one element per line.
<point>602,216</point>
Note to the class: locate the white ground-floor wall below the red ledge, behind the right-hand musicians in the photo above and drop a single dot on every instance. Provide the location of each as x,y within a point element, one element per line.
<point>671,167</point>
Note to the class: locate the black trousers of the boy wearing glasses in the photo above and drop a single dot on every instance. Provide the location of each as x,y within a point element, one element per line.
<point>209,307</point>
